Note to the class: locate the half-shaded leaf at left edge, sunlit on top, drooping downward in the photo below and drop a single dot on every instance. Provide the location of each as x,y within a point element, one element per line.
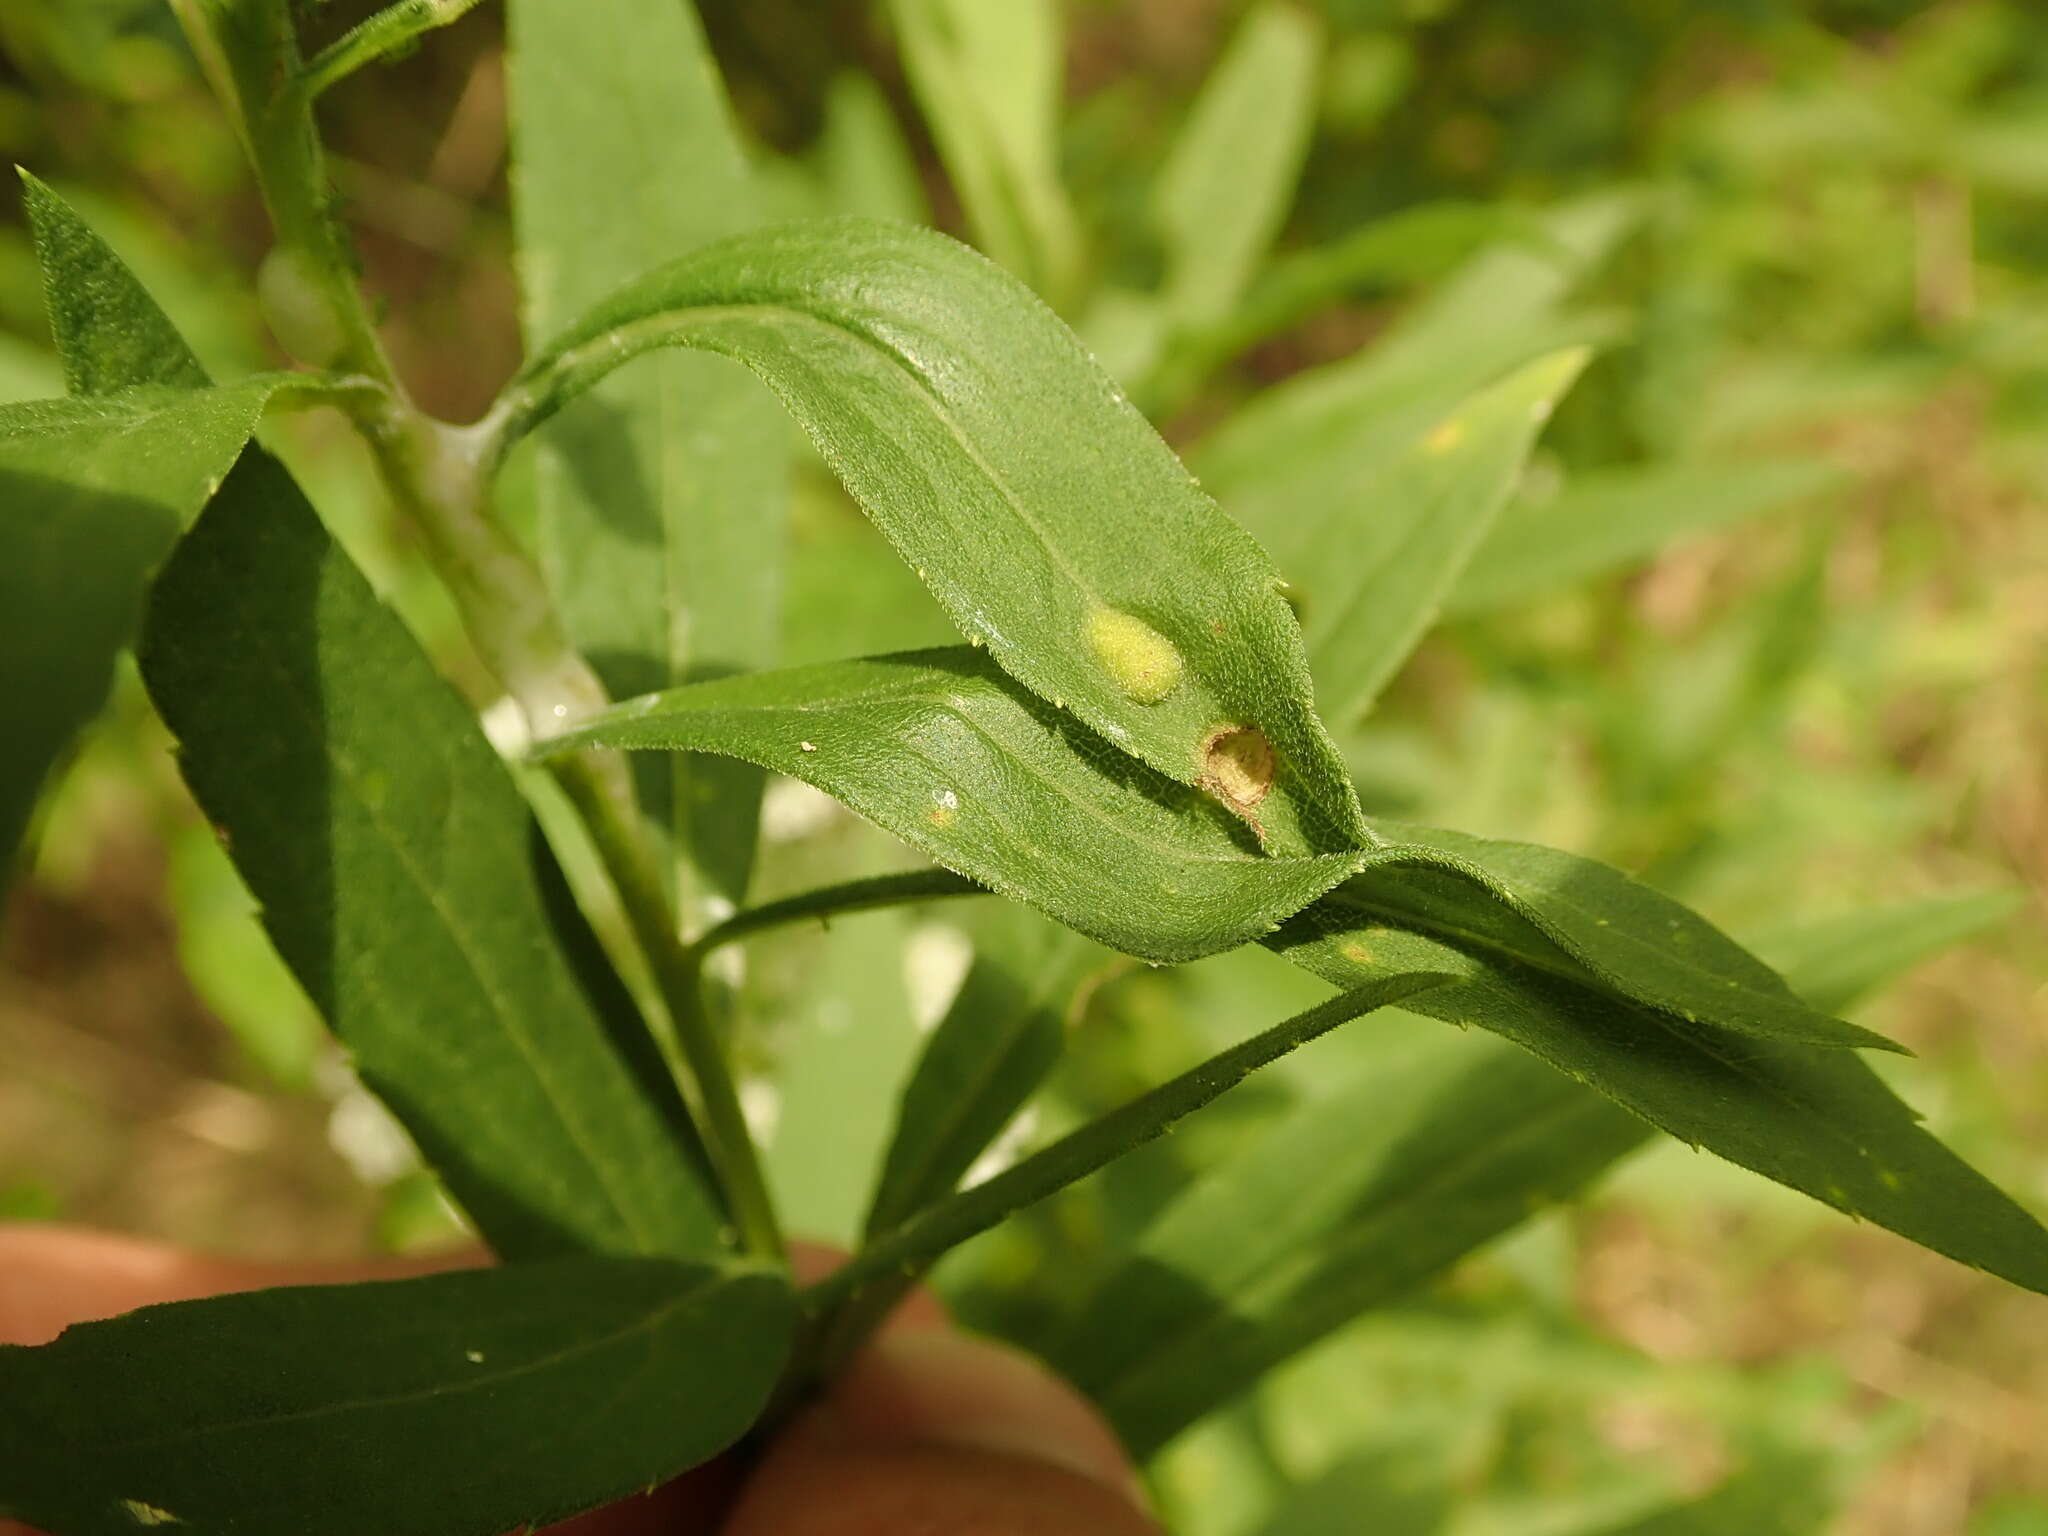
<point>93,493</point>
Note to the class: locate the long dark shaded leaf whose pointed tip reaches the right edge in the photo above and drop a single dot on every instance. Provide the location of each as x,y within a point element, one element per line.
<point>1814,1119</point>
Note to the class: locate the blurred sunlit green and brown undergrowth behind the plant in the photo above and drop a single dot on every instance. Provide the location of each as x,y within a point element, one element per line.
<point>1801,677</point>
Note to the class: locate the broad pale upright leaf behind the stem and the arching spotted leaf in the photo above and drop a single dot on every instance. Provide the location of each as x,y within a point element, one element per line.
<point>663,497</point>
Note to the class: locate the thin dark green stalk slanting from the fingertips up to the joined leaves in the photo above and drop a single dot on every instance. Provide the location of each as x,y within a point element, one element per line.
<point>847,1308</point>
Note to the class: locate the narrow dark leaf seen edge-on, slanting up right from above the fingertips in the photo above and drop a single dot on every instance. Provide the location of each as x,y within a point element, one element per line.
<point>1101,1142</point>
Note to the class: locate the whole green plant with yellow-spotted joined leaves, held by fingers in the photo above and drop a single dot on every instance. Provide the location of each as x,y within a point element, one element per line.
<point>1127,746</point>
